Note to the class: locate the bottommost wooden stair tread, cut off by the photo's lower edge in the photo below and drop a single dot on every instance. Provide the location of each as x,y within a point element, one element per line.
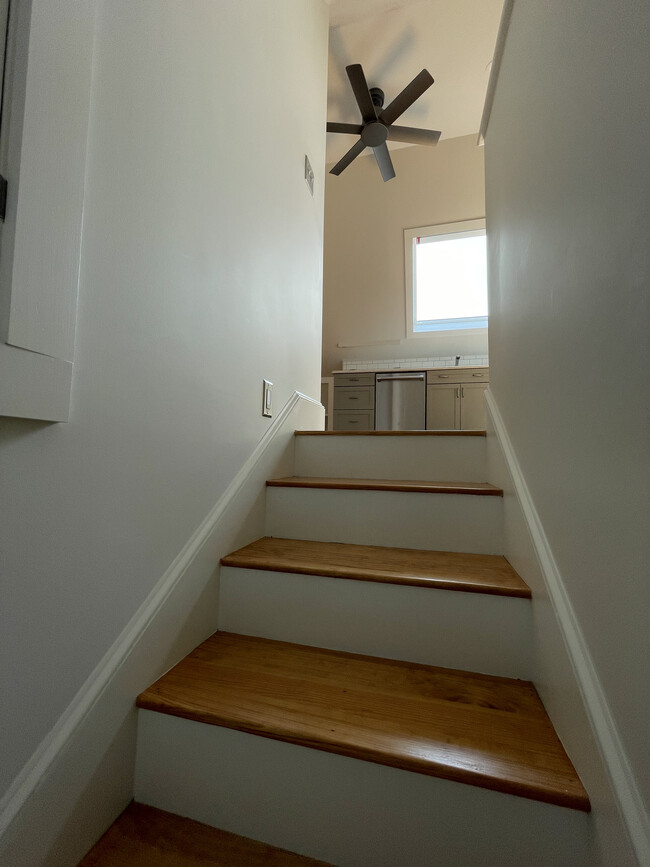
<point>146,837</point>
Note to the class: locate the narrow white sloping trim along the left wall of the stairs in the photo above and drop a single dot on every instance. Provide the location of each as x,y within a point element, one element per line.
<point>96,684</point>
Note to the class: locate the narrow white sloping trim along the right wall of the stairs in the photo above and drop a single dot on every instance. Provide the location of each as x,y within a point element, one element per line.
<point>605,730</point>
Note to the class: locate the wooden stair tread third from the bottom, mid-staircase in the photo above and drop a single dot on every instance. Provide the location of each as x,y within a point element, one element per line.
<point>475,573</point>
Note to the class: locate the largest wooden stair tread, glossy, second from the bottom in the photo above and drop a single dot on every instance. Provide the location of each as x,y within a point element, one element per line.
<point>479,729</point>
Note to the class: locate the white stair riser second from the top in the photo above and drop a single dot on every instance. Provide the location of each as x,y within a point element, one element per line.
<point>444,522</point>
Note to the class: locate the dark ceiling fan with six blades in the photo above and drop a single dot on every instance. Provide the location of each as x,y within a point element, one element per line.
<point>377,126</point>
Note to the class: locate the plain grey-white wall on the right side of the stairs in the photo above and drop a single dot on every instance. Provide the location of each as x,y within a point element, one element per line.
<point>567,188</point>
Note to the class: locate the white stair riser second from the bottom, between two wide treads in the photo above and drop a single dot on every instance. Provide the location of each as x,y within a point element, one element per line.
<point>470,631</point>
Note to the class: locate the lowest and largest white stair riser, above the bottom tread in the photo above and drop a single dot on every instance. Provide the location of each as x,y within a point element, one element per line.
<point>347,812</point>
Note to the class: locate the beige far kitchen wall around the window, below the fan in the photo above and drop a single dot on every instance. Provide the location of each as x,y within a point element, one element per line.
<point>364,305</point>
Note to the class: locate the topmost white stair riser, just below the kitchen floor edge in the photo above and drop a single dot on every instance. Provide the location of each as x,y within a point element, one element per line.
<point>459,459</point>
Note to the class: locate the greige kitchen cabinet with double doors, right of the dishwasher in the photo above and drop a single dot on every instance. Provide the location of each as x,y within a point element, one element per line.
<point>455,399</point>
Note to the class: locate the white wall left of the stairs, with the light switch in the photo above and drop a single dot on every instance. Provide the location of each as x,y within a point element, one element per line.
<point>201,275</point>
